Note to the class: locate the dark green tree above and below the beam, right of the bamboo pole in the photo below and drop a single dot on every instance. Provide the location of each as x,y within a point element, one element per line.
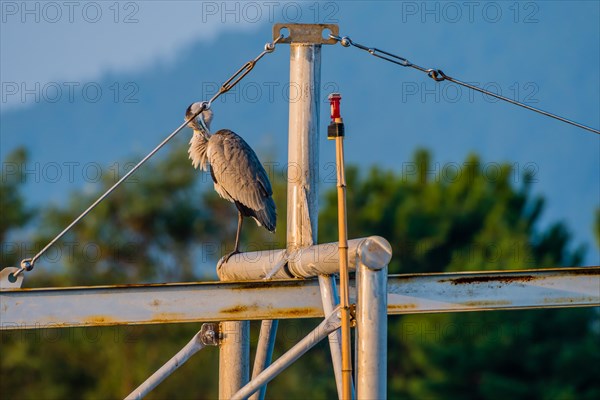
<point>473,221</point>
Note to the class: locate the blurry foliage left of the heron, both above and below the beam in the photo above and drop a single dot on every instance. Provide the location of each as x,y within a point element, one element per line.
<point>148,230</point>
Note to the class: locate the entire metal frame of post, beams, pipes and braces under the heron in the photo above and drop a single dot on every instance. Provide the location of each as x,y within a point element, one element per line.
<point>296,282</point>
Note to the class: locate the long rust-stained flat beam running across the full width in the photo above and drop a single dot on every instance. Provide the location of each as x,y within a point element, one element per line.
<point>204,302</point>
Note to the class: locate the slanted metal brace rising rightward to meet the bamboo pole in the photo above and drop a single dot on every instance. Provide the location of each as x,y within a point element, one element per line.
<point>330,324</point>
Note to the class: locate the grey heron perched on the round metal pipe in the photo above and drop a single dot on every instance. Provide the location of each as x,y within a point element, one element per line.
<point>236,171</point>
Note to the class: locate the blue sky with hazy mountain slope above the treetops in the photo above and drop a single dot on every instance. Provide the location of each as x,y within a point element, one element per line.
<point>91,84</point>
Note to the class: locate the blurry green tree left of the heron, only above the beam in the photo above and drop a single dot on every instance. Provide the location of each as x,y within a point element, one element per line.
<point>147,230</point>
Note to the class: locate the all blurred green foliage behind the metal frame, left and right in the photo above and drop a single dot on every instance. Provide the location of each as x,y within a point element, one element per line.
<point>167,225</point>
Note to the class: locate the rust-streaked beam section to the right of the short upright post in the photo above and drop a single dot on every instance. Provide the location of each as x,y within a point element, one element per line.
<point>500,290</point>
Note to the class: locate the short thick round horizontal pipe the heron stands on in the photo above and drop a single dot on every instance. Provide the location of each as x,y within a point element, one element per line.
<point>322,259</point>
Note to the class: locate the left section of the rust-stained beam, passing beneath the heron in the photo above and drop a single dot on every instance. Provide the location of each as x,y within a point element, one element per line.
<point>159,303</point>
